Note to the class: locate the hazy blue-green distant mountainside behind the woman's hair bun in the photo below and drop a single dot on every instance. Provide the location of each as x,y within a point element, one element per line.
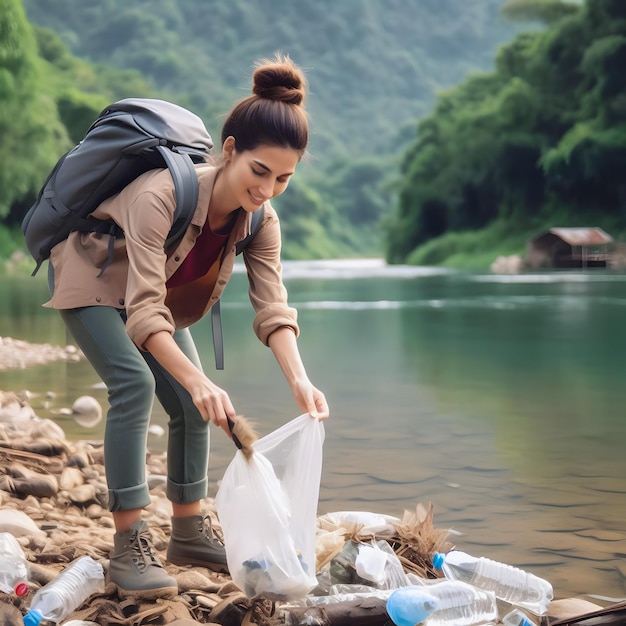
<point>374,65</point>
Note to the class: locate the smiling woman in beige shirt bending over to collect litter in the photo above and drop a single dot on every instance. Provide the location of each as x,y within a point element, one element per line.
<point>131,322</point>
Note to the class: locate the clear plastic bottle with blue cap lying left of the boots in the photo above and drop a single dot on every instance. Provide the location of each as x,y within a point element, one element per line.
<point>65,593</point>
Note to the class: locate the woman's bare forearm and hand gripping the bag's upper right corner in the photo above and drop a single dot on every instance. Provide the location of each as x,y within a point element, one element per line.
<point>311,400</point>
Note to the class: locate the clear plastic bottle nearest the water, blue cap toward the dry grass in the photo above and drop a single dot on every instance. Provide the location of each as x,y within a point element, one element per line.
<point>509,583</point>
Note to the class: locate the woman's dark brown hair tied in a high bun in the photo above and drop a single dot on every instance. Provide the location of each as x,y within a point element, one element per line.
<point>274,114</point>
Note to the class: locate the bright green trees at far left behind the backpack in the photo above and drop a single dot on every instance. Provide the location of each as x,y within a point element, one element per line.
<point>48,98</point>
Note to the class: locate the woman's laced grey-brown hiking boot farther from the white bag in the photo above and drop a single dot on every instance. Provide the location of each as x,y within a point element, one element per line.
<point>135,568</point>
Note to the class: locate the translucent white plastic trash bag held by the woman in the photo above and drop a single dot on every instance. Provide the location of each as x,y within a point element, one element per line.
<point>267,507</point>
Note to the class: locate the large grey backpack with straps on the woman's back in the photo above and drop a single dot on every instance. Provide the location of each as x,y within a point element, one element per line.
<point>129,137</point>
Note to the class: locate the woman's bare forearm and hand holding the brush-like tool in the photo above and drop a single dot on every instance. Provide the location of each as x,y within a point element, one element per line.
<point>212,401</point>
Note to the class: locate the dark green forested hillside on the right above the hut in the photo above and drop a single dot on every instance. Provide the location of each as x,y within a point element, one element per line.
<point>542,136</point>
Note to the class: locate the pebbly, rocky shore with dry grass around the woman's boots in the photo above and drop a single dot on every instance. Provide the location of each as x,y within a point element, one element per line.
<point>53,500</point>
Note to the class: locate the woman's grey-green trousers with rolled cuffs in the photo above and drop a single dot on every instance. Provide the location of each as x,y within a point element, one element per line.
<point>133,378</point>
